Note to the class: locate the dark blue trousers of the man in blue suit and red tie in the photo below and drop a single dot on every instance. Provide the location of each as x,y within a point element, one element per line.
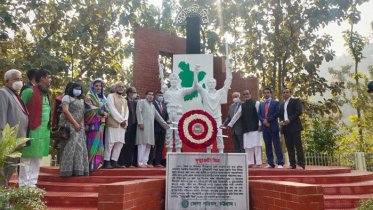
<point>269,138</point>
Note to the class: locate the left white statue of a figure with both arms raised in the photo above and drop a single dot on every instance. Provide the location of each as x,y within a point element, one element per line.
<point>172,98</point>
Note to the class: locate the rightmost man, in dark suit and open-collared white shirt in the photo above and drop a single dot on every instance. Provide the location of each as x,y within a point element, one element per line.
<point>290,111</point>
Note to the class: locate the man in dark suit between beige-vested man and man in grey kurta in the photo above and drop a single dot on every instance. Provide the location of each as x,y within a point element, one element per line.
<point>128,155</point>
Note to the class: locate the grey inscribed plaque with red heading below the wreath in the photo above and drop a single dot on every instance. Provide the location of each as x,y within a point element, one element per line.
<point>210,181</point>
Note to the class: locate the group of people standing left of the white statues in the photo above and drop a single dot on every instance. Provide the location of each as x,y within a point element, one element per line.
<point>95,127</point>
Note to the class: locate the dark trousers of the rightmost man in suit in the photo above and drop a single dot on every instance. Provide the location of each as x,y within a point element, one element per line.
<point>294,140</point>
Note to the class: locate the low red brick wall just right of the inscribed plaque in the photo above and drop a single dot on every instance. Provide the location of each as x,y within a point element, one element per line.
<point>285,195</point>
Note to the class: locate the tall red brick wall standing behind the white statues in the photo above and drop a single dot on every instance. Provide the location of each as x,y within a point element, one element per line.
<point>150,43</point>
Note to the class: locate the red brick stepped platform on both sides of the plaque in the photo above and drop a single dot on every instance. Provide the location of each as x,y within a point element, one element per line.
<point>317,187</point>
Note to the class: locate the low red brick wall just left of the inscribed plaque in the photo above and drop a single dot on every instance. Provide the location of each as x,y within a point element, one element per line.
<point>140,195</point>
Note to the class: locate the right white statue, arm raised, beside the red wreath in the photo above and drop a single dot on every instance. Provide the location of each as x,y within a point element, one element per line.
<point>212,100</point>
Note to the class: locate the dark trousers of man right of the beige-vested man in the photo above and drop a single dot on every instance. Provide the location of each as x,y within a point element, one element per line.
<point>128,155</point>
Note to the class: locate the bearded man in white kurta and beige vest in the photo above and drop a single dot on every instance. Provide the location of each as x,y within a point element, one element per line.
<point>115,127</point>
